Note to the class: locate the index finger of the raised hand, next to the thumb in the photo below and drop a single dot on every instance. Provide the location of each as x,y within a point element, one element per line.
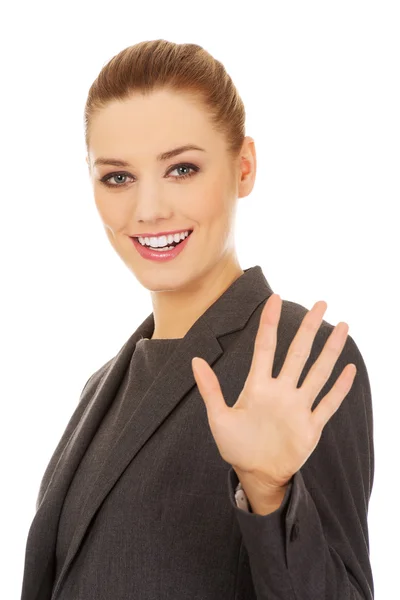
<point>265,340</point>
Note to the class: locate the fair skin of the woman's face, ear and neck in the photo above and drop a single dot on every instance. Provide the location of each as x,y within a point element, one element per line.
<point>153,197</point>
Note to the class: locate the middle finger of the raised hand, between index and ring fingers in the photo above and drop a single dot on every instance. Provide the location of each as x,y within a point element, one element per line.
<point>300,348</point>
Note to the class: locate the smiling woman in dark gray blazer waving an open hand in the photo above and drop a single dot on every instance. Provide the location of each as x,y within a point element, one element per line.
<point>247,472</point>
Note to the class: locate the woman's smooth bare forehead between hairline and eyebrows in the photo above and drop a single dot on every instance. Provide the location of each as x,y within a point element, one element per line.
<point>153,123</point>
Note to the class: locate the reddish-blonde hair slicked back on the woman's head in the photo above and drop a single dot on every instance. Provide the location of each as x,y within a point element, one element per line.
<point>160,64</point>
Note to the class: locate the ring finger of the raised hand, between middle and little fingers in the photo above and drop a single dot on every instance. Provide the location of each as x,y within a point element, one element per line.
<point>321,370</point>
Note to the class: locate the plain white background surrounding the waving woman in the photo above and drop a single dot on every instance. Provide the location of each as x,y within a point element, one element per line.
<point>320,82</point>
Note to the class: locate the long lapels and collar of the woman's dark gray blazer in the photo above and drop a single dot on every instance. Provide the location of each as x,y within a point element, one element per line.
<point>229,313</point>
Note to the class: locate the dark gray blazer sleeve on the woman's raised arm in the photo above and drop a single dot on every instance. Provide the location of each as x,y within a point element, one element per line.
<point>315,545</point>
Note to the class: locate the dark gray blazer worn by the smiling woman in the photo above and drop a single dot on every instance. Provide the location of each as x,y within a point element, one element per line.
<point>314,547</point>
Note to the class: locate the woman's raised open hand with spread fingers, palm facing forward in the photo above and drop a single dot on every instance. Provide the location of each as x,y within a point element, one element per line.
<point>271,430</point>
